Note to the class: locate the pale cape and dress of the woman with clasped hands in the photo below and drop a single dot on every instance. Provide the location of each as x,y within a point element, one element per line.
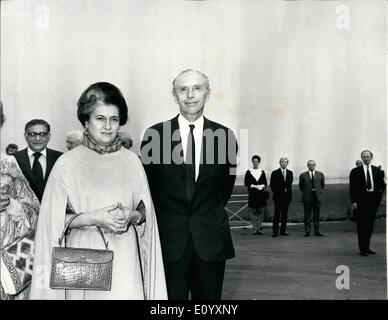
<point>91,181</point>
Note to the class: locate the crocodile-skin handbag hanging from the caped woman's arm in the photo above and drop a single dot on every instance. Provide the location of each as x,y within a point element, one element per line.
<point>80,268</point>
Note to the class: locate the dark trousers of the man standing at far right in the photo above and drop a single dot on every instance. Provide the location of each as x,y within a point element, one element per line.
<point>365,219</point>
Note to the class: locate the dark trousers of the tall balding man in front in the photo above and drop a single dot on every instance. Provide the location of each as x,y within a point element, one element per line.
<point>203,279</point>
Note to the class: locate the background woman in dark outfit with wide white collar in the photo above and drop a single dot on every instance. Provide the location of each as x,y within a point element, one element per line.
<point>256,182</point>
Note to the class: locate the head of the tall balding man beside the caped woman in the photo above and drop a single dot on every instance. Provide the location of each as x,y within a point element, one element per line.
<point>190,92</point>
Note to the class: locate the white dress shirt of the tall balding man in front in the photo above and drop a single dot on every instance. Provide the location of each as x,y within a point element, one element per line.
<point>198,132</point>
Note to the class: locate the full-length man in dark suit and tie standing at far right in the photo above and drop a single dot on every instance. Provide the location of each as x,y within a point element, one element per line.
<point>366,186</point>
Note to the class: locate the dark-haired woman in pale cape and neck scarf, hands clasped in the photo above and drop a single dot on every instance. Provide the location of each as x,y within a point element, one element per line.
<point>107,184</point>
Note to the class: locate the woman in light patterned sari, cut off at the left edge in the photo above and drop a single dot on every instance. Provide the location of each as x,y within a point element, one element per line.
<point>19,209</point>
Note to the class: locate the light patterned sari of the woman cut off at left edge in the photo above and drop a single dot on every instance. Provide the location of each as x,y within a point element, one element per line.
<point>20,216</point>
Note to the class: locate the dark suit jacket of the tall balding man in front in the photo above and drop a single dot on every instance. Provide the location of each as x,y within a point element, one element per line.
<point>204,217</point>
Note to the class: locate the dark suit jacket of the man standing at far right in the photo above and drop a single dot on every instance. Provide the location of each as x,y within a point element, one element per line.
<point>357,184</point>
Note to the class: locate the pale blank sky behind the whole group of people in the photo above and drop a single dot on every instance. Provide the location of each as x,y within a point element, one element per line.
<point>306,78</point>
